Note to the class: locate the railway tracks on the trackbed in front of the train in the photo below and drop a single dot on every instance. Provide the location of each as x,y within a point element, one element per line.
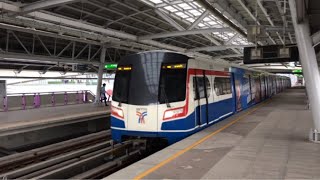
<point>87,157</point>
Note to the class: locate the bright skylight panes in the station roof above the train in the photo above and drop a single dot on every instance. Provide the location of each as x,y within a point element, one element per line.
<point>189,11</point>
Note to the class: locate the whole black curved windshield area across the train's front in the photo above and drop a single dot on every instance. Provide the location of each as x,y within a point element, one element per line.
<point>140,84</point>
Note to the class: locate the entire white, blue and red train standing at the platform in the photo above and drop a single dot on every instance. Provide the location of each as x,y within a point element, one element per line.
<point>160,94</point>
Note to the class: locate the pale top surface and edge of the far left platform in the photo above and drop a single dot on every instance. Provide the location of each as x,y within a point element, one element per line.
<point>13,122</point>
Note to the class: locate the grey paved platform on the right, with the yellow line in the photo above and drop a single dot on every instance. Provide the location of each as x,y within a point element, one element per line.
<point>269,140</point>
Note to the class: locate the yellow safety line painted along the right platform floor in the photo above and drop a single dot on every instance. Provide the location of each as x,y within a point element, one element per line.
<point>174,156</point>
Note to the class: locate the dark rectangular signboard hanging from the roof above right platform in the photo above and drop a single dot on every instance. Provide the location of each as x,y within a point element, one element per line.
<point>270,54</point>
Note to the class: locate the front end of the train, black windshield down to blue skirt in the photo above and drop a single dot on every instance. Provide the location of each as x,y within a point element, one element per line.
<point>149,89</point>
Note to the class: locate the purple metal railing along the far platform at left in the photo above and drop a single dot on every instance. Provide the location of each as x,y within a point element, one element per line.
<point>18,101</point>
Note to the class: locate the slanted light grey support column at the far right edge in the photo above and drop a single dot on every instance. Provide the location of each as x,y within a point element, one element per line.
<point>310,68</point>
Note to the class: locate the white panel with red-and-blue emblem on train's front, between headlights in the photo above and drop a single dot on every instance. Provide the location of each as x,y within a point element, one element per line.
<point>142,118</point>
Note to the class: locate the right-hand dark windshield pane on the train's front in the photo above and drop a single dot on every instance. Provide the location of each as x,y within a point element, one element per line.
<point>172,83</point>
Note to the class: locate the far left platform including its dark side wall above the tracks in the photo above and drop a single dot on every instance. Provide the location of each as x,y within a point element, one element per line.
<point>28,127</point>
